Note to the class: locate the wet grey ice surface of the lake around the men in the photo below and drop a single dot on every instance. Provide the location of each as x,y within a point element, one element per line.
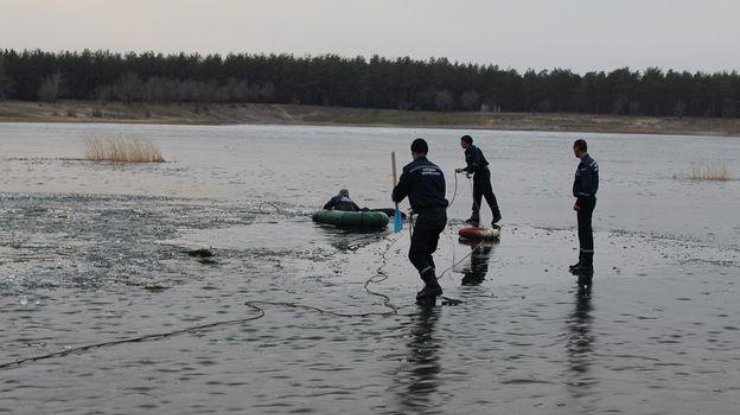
<point>92,253</point>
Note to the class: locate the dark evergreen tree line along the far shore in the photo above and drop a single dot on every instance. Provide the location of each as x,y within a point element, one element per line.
<point>377,82</point>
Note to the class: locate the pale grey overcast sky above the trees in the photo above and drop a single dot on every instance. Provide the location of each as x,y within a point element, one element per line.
<point>579,34</point>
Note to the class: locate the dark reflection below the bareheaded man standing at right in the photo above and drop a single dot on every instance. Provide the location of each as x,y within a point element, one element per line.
<point>581,340</point>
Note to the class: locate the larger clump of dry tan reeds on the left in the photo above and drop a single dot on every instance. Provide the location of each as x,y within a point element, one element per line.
<point>121,150</point>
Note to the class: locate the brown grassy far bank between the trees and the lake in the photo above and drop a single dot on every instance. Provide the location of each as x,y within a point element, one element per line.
<point>284,114</point>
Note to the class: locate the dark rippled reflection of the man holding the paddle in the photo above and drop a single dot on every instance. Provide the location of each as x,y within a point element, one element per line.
<point>424,366</point>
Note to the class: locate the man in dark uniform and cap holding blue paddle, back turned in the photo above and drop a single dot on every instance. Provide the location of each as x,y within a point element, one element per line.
<point>424,183</point>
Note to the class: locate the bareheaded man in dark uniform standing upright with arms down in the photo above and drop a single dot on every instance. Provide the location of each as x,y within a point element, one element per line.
<point>585,186</point>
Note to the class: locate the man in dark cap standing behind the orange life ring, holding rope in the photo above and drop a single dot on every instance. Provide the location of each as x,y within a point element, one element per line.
<point>477,165</point>
